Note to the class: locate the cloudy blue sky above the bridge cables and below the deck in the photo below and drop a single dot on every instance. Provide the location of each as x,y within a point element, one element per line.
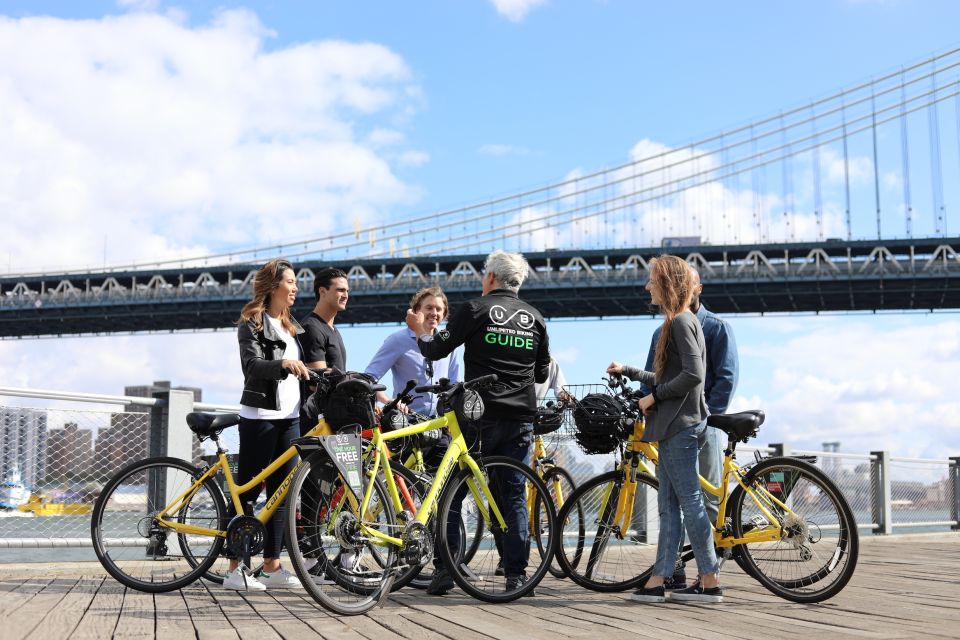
<point>397,109</point>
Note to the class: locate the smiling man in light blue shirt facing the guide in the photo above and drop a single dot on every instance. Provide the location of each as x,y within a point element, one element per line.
<point>400,354</point>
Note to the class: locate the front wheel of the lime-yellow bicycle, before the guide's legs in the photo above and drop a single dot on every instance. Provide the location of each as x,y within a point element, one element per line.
<point>463,519</point>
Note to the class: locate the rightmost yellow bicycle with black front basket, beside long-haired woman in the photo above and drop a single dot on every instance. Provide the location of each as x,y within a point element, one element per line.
<point>781,519</point>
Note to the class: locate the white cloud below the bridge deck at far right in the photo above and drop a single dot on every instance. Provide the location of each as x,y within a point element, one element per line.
<point>870,388</point>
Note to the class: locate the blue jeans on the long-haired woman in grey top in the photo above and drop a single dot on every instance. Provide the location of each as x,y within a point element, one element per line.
<point>680,502</point>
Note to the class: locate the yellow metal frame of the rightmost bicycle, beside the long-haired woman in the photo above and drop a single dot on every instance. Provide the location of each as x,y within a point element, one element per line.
<point>635,459</point>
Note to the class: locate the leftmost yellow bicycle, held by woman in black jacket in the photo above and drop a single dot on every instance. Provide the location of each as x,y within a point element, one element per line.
<point>161,523</point>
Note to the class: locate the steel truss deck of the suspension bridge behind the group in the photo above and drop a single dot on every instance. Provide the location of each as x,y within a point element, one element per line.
<point>802,277</point>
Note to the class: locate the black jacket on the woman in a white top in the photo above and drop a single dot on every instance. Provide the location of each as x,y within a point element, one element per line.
<point>261,353</point>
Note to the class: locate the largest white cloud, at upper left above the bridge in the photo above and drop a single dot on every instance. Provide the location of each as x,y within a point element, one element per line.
<point>138,136</point>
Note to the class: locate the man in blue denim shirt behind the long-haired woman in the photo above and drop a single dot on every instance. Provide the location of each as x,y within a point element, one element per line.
<point>719,386</point>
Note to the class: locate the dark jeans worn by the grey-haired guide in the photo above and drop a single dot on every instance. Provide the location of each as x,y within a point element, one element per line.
<point>500,437</point>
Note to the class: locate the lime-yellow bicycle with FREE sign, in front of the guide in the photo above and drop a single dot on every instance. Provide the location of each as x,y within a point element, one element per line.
<point>356,511</point>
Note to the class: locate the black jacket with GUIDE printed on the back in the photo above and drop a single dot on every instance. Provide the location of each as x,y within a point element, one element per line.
<point>504,335</point>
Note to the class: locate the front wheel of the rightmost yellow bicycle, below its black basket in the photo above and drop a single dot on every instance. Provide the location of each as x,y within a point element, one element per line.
<point>603,558</point>
